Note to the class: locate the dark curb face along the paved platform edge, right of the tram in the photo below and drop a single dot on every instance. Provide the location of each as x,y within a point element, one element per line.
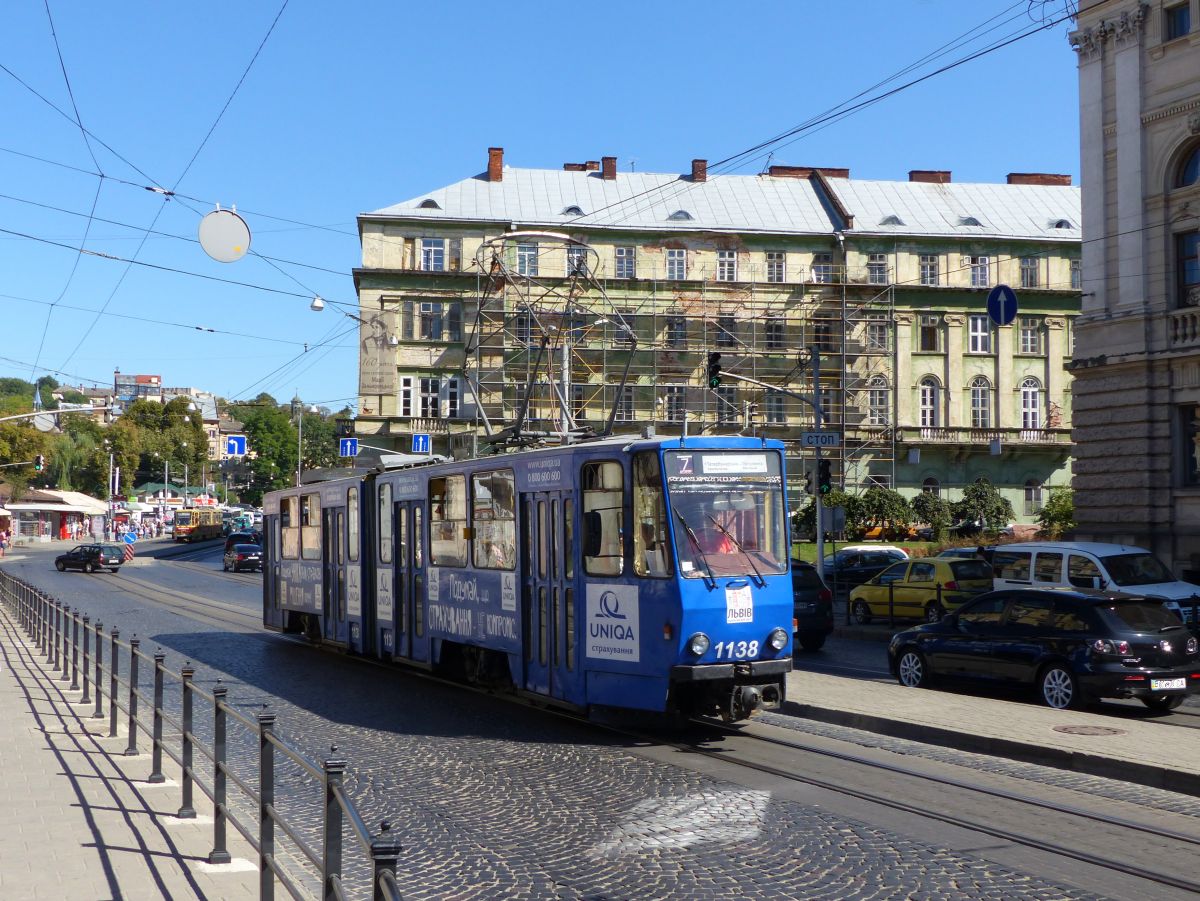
<point>1091,765</point>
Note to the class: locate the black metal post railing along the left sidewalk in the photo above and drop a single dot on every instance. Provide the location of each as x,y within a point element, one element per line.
<point>57,630</point>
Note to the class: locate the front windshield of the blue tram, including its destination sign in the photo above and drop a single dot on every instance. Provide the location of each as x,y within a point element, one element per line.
<point>728,513</point>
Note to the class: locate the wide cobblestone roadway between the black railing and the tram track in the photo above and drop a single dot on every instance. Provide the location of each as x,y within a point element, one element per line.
<point>491,801</point>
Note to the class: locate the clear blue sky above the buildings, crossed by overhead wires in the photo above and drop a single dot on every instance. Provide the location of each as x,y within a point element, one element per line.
<point>353,107</point>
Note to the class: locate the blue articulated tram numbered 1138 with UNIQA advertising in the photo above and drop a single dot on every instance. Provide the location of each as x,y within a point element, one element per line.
<point>645,574</point>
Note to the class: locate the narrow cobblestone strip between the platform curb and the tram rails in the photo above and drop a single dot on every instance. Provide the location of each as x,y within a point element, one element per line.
<point>1093,786</point>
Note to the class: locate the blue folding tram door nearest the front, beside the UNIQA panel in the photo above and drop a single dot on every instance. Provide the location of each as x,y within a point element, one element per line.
<point>547,597</point>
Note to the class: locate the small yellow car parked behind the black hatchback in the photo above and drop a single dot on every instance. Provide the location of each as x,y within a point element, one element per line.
<point>914,587</point>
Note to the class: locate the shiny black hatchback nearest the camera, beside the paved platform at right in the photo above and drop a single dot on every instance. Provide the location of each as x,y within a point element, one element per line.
<point>1072,645</point>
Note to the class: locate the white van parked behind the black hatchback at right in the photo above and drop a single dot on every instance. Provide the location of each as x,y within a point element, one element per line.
<point>1089,564</point>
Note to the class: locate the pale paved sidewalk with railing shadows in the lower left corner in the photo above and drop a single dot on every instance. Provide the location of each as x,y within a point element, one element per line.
<point>77,818</point>
